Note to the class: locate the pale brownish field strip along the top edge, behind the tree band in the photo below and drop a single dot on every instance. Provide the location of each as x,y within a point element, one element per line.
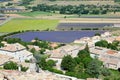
<point>73,2</point>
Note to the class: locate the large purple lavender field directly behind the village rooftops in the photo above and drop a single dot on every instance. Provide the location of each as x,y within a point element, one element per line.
<point>56,36</point>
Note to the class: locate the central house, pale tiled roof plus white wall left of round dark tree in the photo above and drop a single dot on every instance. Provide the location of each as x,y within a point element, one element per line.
<point>59,53</point>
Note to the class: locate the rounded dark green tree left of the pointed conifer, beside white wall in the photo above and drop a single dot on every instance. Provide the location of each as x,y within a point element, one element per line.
<point>68,63</point>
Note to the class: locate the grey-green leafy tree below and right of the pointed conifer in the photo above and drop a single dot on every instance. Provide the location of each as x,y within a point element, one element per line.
<point>94,68</point>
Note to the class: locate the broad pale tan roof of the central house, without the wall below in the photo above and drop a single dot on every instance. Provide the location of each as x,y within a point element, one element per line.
<point>66,50</point>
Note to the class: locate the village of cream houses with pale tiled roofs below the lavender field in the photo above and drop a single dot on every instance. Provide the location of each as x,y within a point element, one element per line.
<point>20,54</point>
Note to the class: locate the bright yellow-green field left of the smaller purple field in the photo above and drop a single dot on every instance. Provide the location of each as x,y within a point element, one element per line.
<point>28,24</point>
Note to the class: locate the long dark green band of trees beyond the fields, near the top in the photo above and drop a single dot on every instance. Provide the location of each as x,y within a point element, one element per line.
<point>81,9</point>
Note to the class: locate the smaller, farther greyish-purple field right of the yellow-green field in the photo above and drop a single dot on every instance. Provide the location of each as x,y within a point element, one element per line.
<point>68,26</point>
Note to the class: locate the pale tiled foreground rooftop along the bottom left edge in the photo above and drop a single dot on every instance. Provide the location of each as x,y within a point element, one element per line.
<point>43,75</point>
